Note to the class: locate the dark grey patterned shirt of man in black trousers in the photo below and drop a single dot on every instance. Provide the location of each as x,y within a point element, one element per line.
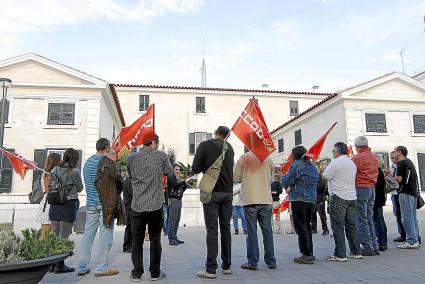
<point>145,169</point>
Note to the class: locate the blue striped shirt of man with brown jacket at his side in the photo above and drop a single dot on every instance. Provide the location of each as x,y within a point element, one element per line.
<point>90,171</point>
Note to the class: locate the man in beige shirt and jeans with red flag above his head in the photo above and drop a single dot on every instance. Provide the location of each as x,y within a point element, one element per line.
<point>255,170</point>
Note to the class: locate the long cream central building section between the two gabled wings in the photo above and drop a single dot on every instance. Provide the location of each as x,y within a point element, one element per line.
<point>186,116</point>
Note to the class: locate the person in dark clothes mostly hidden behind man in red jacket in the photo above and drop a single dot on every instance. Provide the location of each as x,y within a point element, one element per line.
<point>378,212</point>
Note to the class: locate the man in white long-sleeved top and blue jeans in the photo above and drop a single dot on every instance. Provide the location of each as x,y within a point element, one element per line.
<point>341,176</point>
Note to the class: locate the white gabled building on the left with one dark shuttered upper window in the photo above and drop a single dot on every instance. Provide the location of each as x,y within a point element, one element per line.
<point>51,107</point>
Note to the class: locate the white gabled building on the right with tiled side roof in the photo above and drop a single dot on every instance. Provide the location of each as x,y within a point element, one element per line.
<point>389,111</point>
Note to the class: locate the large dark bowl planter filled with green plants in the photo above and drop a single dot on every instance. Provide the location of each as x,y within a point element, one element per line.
<point>27,259</point>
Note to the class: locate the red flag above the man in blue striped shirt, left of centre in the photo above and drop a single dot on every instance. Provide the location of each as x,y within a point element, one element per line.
<point>140,132</point>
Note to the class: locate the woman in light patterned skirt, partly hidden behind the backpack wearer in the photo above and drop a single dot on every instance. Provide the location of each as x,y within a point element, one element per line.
<point>42,216</point>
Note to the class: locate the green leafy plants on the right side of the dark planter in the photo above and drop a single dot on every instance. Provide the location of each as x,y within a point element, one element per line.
<point>35,247</point>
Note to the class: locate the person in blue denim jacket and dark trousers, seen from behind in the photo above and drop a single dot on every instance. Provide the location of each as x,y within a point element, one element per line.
<point>302,177</point>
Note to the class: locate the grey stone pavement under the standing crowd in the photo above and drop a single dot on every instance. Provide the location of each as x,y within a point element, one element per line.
<point>181,263</point>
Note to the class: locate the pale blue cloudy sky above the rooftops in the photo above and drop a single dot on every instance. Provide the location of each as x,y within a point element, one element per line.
<point>288,45</point>
